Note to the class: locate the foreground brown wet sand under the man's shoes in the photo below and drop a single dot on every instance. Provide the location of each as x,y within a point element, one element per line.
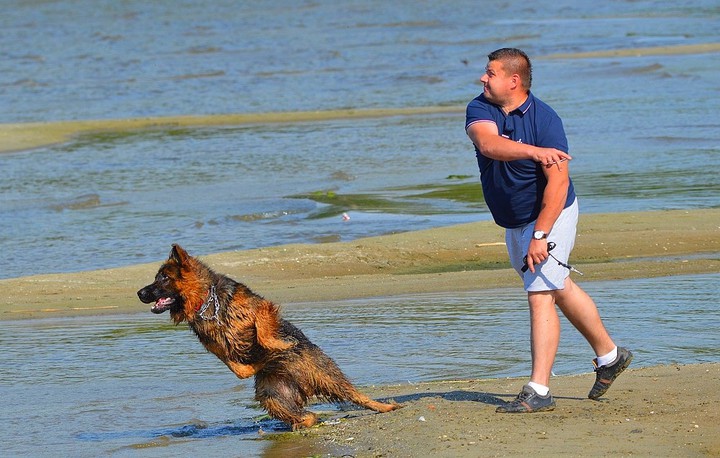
<point>664,411</point>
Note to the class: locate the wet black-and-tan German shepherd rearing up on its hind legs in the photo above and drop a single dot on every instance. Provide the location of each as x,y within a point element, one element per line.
<point>246,332</point>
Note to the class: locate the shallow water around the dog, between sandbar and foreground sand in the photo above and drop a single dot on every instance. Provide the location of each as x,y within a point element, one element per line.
<point>122,384</point>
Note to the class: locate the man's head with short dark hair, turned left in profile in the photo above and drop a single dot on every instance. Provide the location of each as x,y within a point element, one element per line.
<point>508,75</point>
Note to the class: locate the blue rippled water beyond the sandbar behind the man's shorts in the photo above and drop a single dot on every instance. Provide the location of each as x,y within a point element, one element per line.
<point>643,130</point>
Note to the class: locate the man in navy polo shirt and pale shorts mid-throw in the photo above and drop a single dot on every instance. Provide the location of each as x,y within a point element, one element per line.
<point>521,151</point>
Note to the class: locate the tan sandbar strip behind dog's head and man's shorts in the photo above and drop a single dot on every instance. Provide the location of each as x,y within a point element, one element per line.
<point>463,257</point>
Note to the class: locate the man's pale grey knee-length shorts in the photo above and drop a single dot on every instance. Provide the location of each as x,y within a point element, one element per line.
<point>549,275</point>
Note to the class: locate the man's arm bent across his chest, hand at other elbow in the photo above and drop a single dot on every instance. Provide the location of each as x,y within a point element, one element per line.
<point>485,136</point>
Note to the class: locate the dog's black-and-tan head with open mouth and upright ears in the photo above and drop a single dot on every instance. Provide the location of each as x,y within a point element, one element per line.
<point>177,286</point>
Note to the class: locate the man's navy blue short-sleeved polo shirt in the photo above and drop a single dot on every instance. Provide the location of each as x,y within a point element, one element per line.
<point>513,190</point>
